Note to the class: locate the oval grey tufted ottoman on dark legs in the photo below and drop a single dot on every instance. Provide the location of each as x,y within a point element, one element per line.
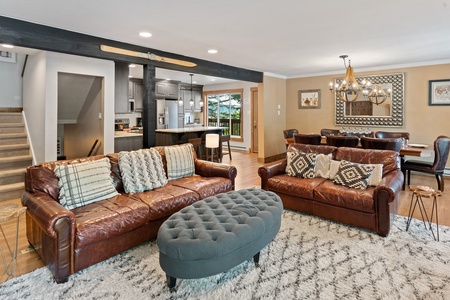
<point>215,234</point>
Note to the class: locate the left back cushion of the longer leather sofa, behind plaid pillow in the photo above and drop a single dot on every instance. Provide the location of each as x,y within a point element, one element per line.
<point>41,178</point>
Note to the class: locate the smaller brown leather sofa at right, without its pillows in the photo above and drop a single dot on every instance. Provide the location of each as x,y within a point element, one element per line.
<point>371,208</point>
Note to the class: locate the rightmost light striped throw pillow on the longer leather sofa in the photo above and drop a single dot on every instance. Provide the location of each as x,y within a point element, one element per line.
<point>180,161</point>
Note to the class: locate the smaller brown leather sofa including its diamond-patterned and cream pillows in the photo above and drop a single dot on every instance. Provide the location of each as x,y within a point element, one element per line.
<point>359,187</point>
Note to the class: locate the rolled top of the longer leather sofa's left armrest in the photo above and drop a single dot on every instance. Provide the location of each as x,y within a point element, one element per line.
<point>46,212</point>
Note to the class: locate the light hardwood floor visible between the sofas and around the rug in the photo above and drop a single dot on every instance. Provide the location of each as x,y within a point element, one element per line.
<point>247,166</point>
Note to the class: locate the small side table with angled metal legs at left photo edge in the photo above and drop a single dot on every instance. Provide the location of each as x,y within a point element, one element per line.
<point>9,212</point>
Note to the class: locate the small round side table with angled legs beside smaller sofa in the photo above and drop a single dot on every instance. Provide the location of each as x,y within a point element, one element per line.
<point>419,192</point>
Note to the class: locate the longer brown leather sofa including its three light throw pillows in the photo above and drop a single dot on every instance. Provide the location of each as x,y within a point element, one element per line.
<point>83,211</point>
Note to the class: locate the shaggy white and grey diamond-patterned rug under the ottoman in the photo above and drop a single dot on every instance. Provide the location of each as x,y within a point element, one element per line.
<point>310,258</point>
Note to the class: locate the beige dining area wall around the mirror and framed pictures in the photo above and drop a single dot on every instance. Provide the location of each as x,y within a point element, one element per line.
<point>424,122</point>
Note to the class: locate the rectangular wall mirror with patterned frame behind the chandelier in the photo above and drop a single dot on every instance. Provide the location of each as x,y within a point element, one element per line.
<point>362,112</point>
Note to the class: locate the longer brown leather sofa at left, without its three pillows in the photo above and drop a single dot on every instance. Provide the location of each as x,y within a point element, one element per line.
<point>71,240</point>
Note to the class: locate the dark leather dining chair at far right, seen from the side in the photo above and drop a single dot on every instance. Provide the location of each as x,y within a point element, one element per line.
<point>441,150</point>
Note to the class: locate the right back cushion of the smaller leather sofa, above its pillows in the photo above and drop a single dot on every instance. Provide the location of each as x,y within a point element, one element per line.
<point>388,158</point>
